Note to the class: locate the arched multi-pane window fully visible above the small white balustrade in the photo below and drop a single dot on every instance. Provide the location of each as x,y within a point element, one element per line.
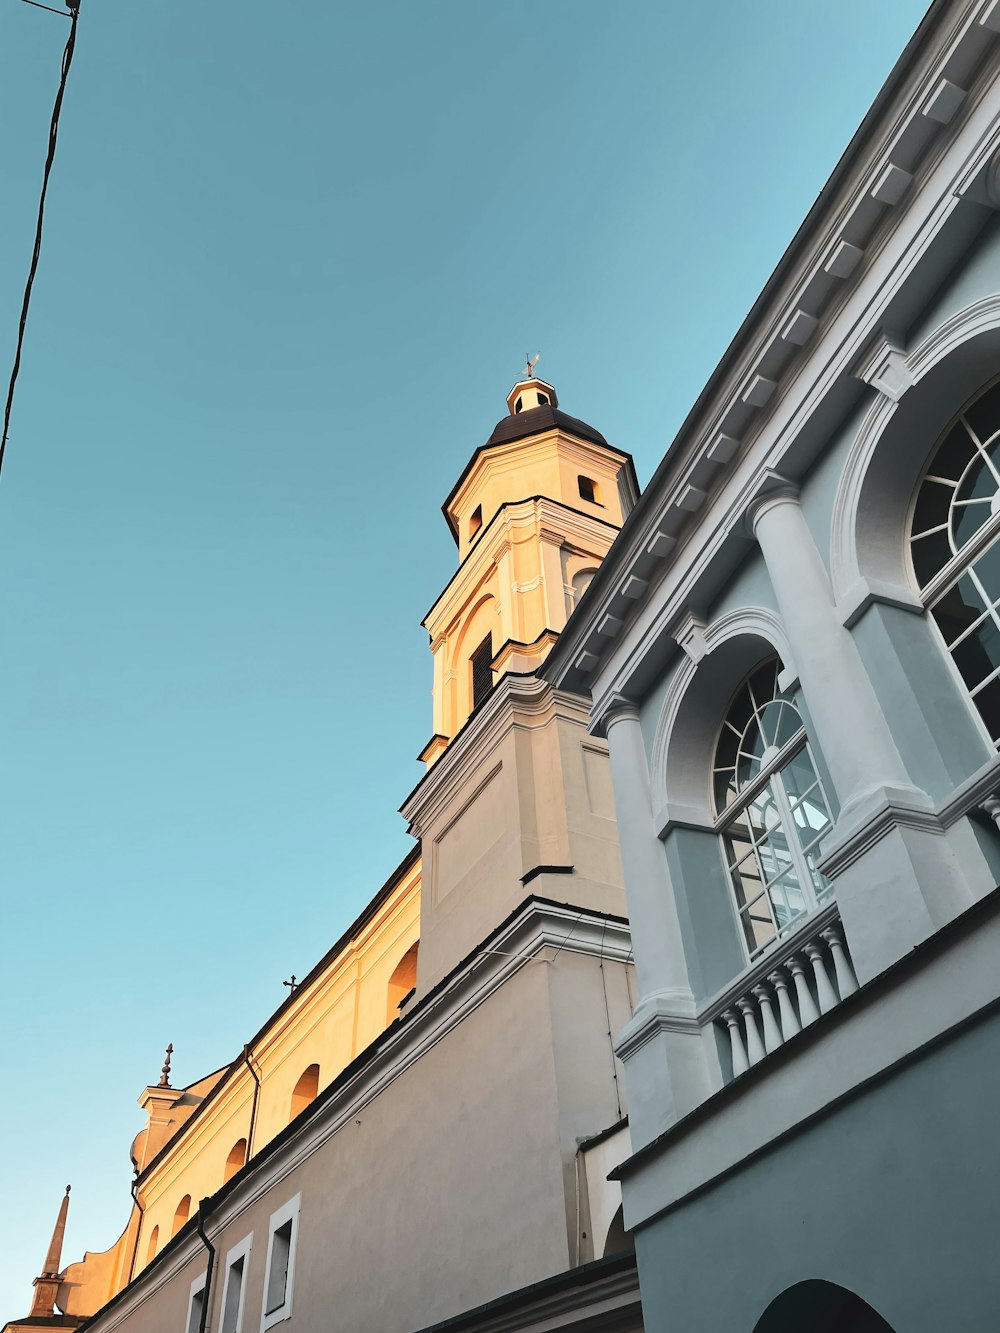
<point>773,810</point>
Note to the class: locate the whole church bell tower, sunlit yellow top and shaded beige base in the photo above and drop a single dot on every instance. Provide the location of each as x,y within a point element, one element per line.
<point>517,802</point>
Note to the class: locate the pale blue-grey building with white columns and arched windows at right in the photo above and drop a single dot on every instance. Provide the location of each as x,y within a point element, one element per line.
<point>794,653</point>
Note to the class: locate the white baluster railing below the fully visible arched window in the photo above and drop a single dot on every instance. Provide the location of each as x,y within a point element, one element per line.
<point>786,991</point>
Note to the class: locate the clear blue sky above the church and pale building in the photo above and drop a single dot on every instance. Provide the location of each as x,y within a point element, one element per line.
<point>294,259</point>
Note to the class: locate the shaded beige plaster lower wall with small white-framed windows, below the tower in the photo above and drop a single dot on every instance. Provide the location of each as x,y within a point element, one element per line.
<point>451,1187</point>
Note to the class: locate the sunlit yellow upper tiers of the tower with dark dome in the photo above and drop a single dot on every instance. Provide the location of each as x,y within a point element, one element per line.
<point>534,514</point>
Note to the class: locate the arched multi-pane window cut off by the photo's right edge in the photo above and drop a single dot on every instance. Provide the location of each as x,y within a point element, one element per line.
<point>955,549</point>
